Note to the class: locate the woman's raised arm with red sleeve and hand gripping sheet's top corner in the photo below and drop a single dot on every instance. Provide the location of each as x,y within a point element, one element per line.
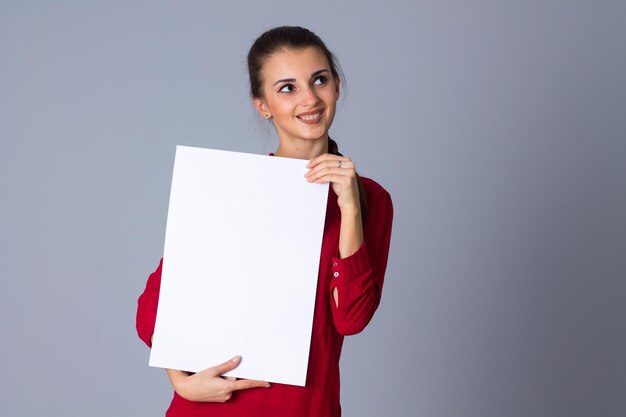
<point>359,269</point>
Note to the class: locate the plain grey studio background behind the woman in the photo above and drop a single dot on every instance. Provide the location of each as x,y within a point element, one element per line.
<point>498,128</point>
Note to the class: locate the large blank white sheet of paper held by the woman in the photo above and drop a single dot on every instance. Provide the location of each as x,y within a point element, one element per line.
<point>241,259</point>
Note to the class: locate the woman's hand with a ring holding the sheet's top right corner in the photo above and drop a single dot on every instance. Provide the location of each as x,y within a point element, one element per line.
<point>340,172</point>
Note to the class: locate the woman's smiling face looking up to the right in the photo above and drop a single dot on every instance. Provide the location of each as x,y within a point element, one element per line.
<point>299,93</point>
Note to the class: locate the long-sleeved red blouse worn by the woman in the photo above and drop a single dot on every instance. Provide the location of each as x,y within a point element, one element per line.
<point>359,280</point>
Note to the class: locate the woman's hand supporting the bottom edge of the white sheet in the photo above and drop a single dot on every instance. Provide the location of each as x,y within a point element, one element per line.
<point>209,385</point>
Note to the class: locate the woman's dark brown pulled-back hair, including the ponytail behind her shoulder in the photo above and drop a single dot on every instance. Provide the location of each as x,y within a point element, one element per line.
<point>284,38</point>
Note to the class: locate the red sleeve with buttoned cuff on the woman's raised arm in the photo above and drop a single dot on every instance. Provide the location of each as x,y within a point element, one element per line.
<point>359,277</point>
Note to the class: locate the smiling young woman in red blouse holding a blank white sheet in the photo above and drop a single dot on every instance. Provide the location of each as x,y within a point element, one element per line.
<point>295,83</point>
